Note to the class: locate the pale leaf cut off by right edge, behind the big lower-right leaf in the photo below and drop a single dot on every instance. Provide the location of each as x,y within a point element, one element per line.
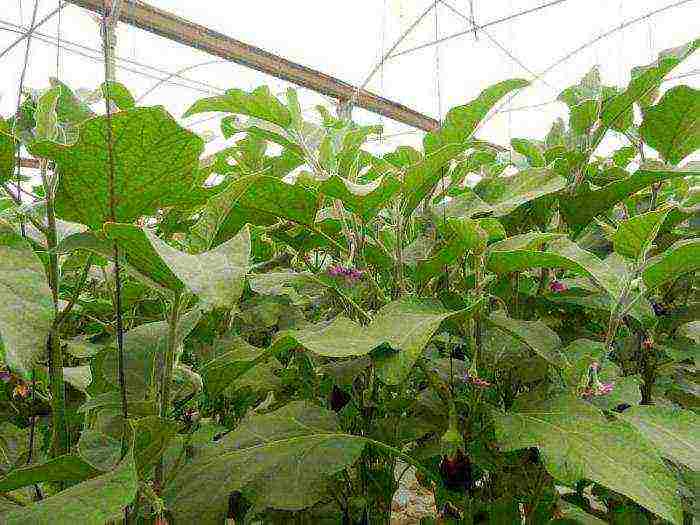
<point>676,432</point>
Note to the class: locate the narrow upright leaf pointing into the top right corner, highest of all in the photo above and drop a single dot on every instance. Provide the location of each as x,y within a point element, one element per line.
<point>647,79</point>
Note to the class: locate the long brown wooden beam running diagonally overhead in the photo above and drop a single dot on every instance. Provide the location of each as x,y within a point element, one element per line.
<point>172,27</point>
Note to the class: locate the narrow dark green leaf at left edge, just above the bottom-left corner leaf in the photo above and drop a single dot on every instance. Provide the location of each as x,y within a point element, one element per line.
<point>62,468</point>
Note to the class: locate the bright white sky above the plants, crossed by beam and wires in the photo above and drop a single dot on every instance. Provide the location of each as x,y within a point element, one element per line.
<point>346,39</point>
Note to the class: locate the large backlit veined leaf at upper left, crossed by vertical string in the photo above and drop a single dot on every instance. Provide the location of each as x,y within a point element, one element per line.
<point>156,163</point>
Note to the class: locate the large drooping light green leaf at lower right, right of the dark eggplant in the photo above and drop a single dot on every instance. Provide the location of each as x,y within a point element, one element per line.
<point>577,442</point>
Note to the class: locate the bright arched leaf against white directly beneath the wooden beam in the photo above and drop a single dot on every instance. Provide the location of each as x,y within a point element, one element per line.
<point>259,103</point>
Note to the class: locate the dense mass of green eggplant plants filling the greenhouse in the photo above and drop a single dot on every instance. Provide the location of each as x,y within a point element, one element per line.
<point>302,319</point>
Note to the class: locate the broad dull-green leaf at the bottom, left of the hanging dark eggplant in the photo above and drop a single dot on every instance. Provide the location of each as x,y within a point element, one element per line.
<point>281,459</point>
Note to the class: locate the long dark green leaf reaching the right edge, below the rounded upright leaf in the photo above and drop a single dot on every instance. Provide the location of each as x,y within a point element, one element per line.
<point>581,208</point>
